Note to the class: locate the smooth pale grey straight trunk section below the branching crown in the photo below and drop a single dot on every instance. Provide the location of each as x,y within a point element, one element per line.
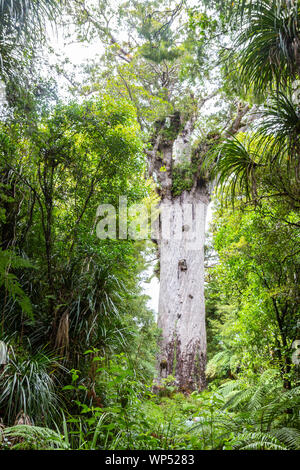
<point>181,300</point>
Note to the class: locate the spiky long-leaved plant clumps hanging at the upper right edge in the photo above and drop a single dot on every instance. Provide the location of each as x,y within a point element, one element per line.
<point>269,48</point>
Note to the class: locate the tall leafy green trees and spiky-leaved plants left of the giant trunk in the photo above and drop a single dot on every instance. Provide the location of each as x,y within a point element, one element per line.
<point>87,293</point>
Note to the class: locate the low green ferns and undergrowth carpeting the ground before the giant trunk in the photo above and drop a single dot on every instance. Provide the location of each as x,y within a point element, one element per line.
<point>265,417</point>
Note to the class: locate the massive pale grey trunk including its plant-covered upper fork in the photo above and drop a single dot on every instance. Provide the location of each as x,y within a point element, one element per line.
<point>181,249</point>
